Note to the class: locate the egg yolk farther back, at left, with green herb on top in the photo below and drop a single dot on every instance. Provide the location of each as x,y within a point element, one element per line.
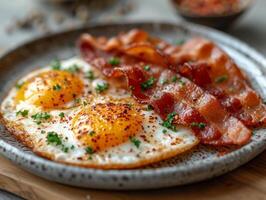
<point>50,89</point>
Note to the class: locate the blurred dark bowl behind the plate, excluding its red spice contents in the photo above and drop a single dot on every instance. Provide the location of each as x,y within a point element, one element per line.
<point>219,21</point>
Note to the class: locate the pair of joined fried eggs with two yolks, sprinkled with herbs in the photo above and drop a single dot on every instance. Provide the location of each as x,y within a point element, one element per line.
<point>68,112</point>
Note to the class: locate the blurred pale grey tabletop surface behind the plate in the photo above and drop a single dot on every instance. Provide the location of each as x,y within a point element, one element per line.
<point>251,28</point>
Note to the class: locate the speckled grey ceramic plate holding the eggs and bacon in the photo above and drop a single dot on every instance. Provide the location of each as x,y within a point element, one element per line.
<point>202,163</point>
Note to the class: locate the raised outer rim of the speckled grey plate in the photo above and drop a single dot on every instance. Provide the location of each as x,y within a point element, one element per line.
<point>243,154</point>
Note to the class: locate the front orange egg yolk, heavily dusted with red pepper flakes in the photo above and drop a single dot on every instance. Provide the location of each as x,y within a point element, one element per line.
<point>106,125</point>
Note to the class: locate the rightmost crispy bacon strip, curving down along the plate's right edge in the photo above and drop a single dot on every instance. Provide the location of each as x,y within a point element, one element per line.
<point>235,88</point>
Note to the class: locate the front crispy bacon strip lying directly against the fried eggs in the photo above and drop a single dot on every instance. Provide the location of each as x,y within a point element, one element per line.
<point>188,100</point>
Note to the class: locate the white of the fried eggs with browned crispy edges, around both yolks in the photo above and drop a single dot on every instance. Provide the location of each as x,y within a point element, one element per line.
<point>156,144</point>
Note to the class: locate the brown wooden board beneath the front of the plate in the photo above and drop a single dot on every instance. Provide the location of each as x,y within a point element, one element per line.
<point>247,182</point>
